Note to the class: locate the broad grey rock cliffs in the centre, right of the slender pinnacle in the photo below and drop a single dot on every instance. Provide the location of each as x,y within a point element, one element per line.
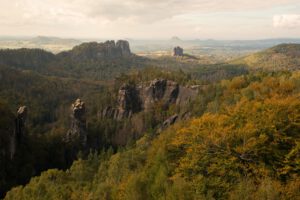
<point>133,99</point>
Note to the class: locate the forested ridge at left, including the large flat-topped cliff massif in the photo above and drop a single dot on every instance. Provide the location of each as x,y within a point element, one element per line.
<point>96,61</point>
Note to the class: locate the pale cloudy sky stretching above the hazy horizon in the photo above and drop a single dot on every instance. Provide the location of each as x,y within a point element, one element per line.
<point>151,19</point>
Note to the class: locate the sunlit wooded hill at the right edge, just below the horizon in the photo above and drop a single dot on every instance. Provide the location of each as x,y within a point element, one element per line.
<point>280,57</point>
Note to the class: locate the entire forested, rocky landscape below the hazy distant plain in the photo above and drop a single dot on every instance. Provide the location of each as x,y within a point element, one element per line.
<point>166,128</point>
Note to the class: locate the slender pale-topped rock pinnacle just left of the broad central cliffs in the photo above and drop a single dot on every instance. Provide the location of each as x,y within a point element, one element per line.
<point>77,133</point>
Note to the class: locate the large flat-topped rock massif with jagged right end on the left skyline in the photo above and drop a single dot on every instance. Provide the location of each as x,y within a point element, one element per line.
<point>106,50</point>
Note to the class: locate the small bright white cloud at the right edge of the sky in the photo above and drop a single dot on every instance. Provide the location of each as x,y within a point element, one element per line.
<point>286,21</point>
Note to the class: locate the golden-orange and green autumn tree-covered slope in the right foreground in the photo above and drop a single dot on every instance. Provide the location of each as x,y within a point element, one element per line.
<point>246,144</point>
